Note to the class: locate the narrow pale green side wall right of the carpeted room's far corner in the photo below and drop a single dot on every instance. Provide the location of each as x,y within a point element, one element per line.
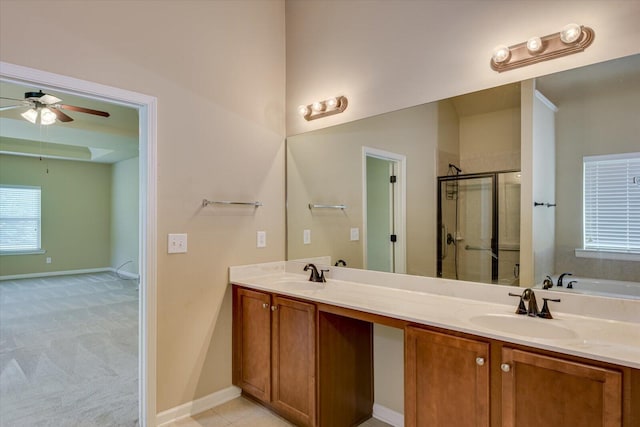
<point>125,216</point>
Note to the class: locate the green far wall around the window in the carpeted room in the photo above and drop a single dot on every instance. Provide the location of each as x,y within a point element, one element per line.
<point>75,210</point>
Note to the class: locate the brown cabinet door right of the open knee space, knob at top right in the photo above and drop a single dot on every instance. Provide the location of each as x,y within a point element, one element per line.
<point>446,380</point>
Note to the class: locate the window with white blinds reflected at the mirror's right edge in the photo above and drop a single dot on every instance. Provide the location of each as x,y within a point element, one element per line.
<point>612,203</point>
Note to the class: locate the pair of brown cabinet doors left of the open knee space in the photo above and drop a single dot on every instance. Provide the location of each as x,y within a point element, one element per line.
<point>274,357</point>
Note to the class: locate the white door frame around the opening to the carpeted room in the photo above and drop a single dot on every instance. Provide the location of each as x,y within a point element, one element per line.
<point>147,108</point>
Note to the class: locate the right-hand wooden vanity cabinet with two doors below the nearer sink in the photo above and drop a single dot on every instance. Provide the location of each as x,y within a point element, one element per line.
<point>454,379</point>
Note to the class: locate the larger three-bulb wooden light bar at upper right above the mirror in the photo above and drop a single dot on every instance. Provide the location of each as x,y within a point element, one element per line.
<point>573,38</point>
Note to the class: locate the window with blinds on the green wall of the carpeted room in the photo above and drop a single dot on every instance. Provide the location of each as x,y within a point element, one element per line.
<point>19,219</point>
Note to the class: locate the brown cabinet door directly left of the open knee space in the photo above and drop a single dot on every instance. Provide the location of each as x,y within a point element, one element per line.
<point>294,360</point>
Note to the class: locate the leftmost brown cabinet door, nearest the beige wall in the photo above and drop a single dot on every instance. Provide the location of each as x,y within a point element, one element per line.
<point>252,343</point>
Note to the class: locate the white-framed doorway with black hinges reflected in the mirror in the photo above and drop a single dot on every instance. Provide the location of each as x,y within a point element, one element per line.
<point>384,206</point>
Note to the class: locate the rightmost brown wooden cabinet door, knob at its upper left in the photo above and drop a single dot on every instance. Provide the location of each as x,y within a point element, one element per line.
<point>545,391</point>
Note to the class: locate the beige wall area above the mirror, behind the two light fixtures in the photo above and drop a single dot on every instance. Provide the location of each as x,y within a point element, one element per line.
<point>386,55</point>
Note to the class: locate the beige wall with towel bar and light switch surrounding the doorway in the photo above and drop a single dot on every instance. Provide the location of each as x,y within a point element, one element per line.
<point>217,69</point>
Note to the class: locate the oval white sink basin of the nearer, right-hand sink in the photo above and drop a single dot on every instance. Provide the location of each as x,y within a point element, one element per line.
<point>523,326</point>
